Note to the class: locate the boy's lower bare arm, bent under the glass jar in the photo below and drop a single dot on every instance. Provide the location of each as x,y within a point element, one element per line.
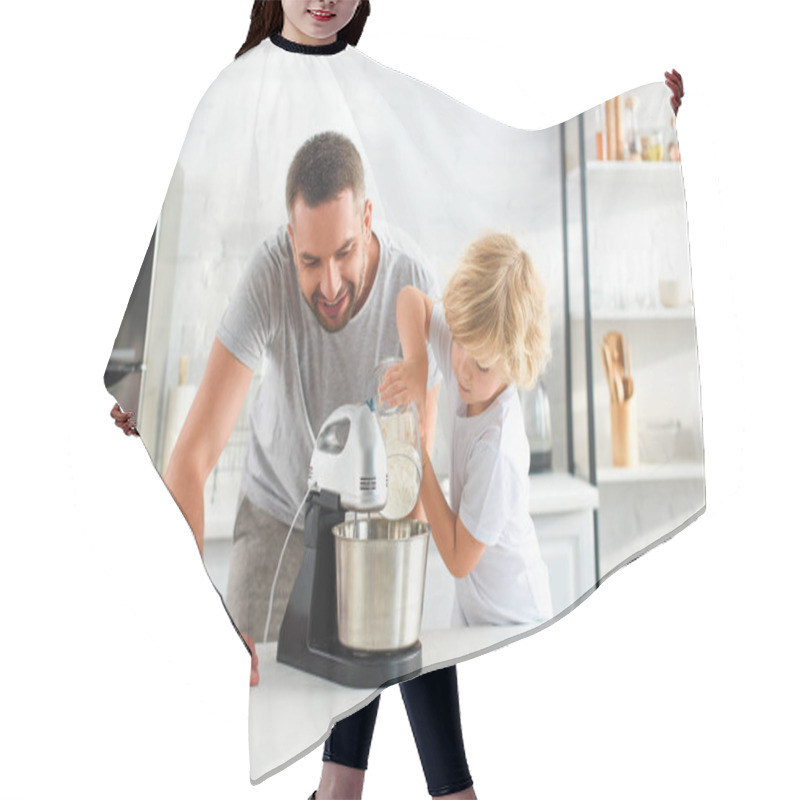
<point>459,549</point>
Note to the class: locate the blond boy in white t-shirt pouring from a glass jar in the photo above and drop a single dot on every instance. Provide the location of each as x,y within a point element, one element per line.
<point>489,335</point>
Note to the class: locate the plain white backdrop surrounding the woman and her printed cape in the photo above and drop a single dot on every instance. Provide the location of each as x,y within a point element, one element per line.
<point>121,676</point>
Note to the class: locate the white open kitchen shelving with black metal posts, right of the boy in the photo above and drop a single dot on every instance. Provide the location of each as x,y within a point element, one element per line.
<point>629,273</point>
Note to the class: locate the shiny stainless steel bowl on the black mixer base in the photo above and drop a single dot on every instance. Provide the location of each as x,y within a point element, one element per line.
<point>380,582</point>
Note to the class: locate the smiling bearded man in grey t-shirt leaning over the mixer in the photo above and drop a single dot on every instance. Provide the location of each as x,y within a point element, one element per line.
<point>316,305</point>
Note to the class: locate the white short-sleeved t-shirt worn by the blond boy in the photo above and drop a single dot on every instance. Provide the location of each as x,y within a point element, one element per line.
<point>489,491</point>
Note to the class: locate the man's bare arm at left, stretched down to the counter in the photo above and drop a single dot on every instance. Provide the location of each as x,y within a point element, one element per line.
<point>205,433</point>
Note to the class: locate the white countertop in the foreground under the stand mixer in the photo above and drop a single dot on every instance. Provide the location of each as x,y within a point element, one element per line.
<point>291,712</point>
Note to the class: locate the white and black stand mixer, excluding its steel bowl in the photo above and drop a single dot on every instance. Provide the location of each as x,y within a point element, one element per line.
<point>348,472</point>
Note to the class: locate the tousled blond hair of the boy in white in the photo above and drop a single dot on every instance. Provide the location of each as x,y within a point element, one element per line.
<point>495,308</point>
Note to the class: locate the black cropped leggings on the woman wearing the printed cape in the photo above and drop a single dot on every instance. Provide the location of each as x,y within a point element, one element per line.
<point>433,711</point>
